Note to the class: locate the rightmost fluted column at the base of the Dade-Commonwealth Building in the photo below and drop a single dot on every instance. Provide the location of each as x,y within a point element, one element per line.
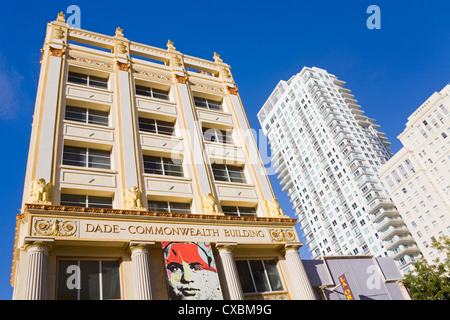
<point>303,288</point>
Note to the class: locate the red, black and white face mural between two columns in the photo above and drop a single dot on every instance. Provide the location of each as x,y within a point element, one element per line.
<point>191,271</point>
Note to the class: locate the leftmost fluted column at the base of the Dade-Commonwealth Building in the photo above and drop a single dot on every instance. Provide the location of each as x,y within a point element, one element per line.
<point>36,269</point>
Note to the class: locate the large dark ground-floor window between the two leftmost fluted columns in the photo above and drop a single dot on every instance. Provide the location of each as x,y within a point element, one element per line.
<point>99,280</point>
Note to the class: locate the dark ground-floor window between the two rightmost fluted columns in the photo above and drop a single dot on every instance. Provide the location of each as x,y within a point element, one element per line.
<point>259,275</point>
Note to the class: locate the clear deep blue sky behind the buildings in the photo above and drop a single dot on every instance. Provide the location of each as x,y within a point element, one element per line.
<point>391,71</point>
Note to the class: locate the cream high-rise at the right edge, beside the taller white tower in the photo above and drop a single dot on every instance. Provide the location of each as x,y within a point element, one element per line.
<point>418,176</point>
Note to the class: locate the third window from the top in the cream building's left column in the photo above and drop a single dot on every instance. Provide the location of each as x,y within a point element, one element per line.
<point>86,157</point>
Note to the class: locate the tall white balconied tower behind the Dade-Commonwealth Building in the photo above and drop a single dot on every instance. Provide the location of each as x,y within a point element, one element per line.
<point>327,154</point>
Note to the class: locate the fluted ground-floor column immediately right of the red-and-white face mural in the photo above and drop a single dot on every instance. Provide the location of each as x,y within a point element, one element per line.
<point>229,267</point>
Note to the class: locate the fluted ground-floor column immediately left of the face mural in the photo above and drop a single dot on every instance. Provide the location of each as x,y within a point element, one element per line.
<point>141,269</point>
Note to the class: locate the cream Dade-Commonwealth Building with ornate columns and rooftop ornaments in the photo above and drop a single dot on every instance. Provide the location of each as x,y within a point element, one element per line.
<point>143,181</point>
